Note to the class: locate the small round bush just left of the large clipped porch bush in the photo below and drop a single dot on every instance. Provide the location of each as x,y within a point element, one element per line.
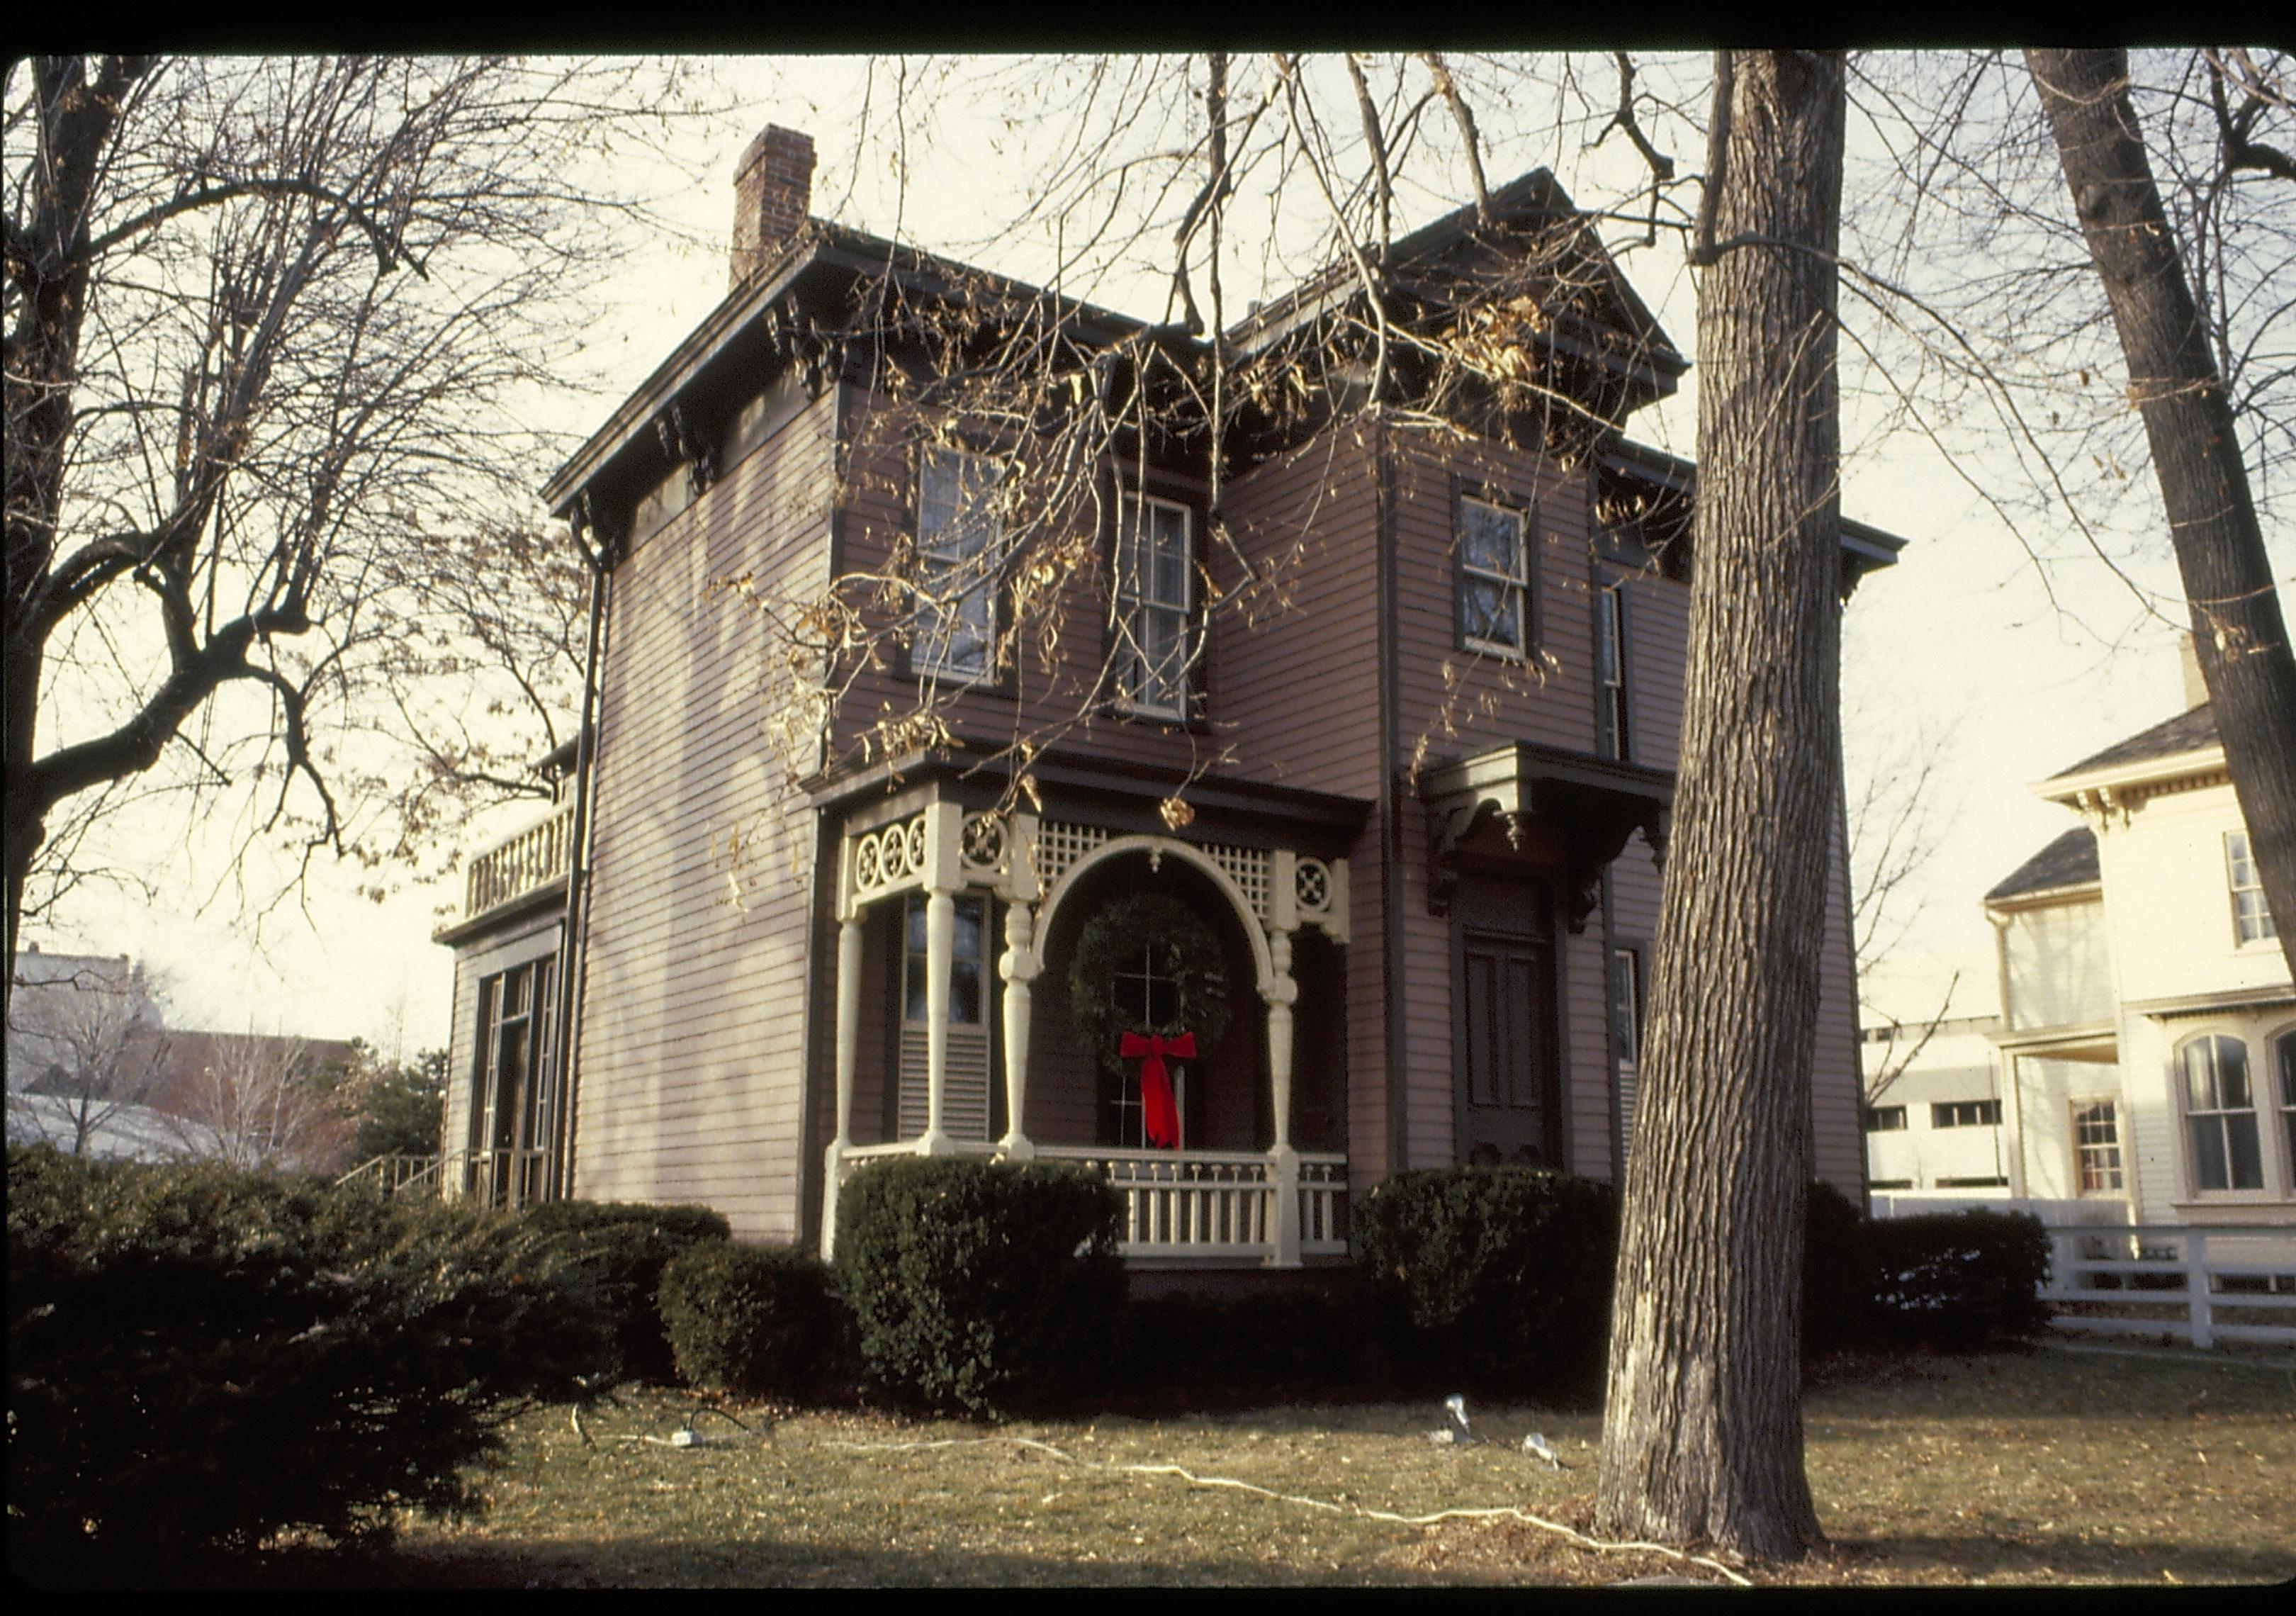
<point>757,1321</point>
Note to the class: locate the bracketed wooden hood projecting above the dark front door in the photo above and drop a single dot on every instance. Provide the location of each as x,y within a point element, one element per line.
<point>1592,805</point>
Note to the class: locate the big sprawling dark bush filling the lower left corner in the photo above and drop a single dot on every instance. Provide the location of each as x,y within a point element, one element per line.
<point>203,1358</point>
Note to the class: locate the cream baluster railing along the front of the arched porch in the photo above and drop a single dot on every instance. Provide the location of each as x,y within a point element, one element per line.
<point>1195,1204</point>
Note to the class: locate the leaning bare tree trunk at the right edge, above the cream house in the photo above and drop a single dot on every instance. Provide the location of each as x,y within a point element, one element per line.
<point>2173,382</point>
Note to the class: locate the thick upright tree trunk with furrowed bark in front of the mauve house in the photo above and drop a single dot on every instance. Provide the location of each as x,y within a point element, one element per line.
<point>1702,1434</point>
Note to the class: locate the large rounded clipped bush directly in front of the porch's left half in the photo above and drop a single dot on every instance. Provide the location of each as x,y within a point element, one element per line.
<point>982,1287</point>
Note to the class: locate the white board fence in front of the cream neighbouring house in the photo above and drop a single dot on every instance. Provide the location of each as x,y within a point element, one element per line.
<point>2175,1266</point>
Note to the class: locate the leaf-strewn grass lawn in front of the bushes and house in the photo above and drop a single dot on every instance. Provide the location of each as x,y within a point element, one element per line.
<point>2065,1466</point>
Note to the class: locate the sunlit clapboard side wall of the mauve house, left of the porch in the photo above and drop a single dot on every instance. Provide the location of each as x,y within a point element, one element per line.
<point>692,1066</point>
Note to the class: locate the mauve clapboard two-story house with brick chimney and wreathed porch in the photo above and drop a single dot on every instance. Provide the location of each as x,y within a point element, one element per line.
<point>1376,855</point>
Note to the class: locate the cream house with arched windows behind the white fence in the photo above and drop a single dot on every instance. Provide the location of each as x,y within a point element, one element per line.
<point>2150,1023</point>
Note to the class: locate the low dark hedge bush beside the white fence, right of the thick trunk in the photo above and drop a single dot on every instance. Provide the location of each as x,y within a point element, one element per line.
<point>1960,1280</point>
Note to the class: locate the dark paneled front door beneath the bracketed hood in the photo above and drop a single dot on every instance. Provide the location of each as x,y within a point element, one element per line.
<point>1510,1094</point>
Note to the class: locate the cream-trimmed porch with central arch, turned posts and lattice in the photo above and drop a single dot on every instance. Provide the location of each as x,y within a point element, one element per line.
<point>961,1046</point>
